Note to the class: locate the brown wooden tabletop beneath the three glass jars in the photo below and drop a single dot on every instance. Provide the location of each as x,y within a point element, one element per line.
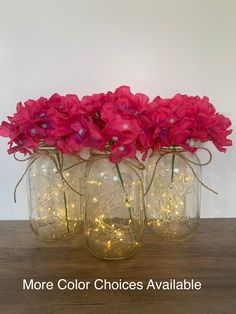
<point>210,257</point>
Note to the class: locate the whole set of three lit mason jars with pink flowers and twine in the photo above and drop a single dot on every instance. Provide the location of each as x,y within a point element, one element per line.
<point>114,125</point>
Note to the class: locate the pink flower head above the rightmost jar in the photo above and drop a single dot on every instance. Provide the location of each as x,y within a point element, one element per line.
<point>181,119</point>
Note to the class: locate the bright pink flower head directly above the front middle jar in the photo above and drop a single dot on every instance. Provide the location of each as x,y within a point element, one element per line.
<point>125,118</point>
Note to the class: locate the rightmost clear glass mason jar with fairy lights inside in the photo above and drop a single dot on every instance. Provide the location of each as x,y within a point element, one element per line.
<point>173,200</point>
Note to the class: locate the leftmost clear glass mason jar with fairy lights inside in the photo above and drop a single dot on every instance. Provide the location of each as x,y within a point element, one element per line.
<point>55,210</point>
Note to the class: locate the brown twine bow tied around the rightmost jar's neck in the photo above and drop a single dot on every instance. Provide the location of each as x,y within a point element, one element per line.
<point>189,163</point>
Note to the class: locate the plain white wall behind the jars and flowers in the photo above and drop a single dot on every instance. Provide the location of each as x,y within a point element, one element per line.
<point>85,46</point>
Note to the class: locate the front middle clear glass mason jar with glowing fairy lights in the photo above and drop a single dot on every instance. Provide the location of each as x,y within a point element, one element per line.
<point>114,215</point>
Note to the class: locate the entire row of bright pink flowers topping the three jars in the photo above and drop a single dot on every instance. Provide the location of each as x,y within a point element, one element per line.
<point>118,122</point>
